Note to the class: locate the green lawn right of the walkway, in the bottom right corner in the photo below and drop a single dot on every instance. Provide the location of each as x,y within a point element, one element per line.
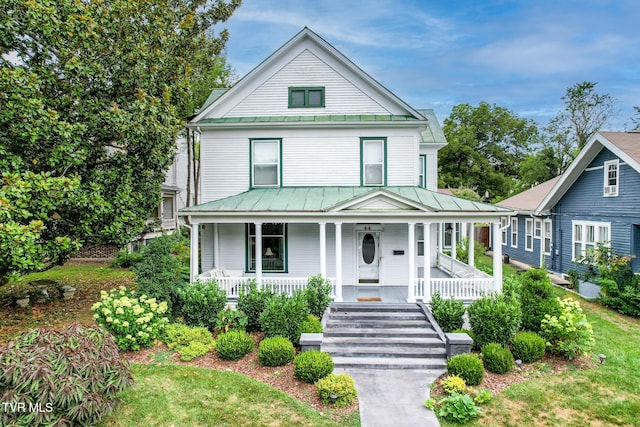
<point>607,394</point>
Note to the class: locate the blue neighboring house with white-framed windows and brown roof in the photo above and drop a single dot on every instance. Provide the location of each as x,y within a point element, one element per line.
<point>597,199</point>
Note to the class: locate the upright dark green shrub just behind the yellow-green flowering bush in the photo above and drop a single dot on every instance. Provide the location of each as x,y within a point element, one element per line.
<point>536,299</point>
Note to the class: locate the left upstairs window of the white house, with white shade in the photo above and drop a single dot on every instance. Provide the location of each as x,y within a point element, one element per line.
<point>266,159</point>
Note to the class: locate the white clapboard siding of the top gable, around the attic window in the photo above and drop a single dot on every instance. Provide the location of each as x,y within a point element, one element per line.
<point>306,70</point>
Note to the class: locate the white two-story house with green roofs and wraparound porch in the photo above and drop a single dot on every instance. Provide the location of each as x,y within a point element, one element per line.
<point>310,166</point>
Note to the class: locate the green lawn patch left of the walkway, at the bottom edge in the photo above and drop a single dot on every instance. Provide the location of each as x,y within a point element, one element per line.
<point>171,395</point>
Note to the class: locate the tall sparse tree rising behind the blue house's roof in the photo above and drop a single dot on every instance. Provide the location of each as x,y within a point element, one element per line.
<point>585,112</point>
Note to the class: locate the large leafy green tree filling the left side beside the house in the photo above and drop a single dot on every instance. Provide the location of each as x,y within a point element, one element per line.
<point>92,97</point>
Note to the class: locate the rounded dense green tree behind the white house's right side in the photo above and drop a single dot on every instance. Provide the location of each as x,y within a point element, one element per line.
<point>485,145</point>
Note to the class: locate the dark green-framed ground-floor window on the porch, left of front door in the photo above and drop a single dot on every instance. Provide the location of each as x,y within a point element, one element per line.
<point>274,247</point>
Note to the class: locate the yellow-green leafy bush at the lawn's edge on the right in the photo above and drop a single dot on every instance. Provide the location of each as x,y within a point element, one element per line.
<point>570,334</point>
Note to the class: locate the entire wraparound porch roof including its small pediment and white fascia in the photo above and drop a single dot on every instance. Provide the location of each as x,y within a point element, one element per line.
<point>290,200</point>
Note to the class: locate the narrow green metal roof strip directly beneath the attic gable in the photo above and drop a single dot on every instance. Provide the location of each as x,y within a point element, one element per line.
<point>323,118</point>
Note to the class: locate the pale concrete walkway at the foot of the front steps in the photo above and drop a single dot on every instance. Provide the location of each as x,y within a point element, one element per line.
<point>394,397</point>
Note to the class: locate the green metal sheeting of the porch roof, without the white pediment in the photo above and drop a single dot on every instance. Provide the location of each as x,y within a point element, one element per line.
<point>324,199</point>
